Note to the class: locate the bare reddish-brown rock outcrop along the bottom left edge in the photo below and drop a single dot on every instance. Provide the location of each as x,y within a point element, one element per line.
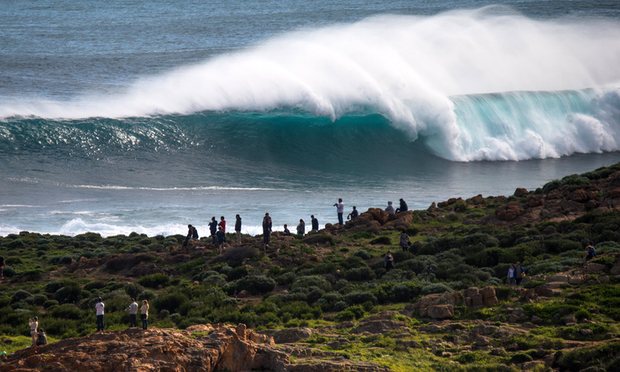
<point>198,348</point>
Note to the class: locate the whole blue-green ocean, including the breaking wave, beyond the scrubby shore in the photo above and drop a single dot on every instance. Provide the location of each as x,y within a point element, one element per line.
<point>124,116</point>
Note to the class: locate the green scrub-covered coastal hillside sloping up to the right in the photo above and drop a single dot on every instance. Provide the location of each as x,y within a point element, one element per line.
<point>332,291</point>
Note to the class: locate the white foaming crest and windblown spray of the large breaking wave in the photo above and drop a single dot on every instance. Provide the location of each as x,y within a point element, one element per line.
<point>483,84</point>
